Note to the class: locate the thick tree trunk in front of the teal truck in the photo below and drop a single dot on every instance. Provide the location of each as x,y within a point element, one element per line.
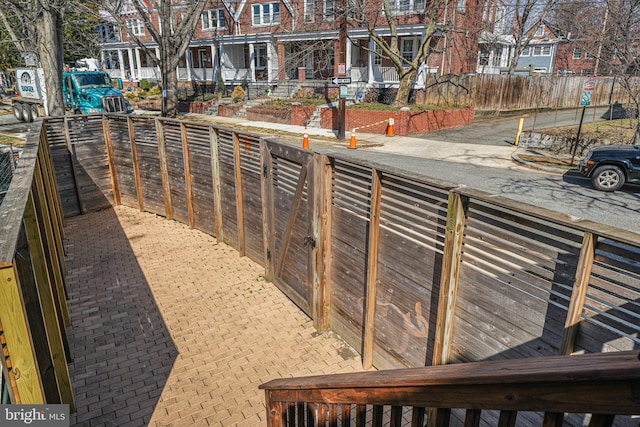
<point>51,53</point>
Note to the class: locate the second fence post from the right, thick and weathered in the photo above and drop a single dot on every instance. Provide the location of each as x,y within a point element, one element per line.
<point>456,216</point>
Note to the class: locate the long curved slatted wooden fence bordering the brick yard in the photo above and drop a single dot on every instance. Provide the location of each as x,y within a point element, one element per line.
<point>409,271</point>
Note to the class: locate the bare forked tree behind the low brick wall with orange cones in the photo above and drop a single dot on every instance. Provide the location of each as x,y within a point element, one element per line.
<point>363,14</point>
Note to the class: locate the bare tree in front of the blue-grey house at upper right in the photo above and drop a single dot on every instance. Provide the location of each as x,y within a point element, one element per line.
<point>528,15</point>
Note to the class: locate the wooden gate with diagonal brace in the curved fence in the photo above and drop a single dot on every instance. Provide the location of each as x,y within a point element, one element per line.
<point>291,229</point>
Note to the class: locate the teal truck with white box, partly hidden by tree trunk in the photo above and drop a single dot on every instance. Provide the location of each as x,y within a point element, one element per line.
<point>85,92</point>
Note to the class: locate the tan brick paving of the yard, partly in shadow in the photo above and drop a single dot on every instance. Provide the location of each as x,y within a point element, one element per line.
<point>171,328</point>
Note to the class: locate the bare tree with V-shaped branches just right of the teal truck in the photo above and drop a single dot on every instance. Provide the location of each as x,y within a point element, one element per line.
<point>172,31</point>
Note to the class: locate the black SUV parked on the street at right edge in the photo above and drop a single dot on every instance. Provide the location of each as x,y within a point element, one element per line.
<point>610,166</point>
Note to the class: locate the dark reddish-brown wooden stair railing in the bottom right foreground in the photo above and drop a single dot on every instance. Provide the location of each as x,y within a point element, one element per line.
<point>602,384</point>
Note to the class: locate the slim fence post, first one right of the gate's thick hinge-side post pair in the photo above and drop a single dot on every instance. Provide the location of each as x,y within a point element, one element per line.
<point>372,271</point>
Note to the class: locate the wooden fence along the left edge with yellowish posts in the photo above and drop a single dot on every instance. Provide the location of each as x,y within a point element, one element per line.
<point>33,310</point>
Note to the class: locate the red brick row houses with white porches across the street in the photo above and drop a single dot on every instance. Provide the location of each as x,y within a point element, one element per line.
<point>274,41</point>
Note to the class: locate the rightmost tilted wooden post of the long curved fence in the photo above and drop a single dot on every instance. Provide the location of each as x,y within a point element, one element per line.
<point>579,293</point>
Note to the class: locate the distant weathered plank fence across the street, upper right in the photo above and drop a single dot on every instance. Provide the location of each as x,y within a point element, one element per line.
<point>496,93</point>
